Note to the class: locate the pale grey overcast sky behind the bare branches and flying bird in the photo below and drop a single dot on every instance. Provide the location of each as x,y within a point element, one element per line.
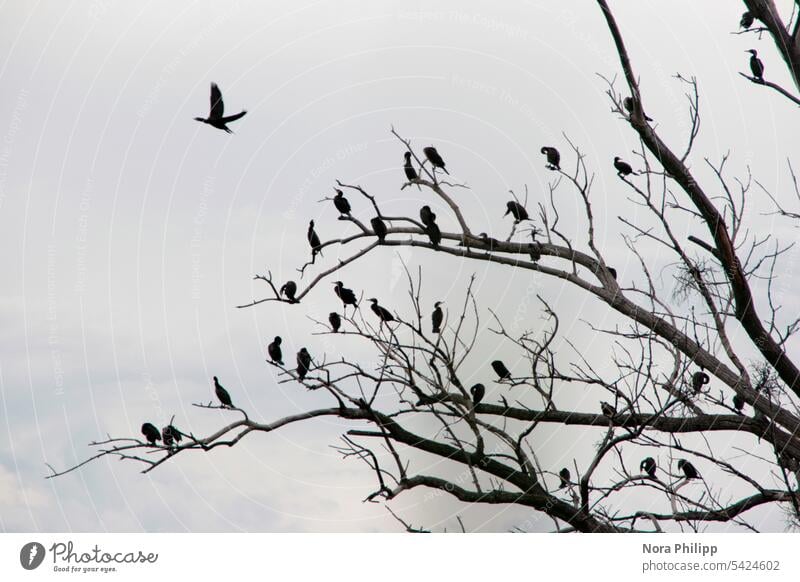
<point>130,232</point>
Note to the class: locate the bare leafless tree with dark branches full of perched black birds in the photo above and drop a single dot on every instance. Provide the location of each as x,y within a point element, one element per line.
<point>693,366</point>
